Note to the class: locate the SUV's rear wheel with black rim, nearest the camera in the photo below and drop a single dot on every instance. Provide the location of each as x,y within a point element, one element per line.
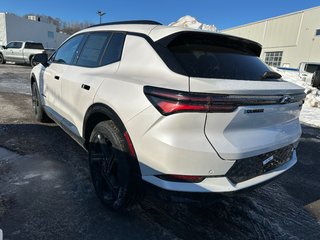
<point>111,166</point>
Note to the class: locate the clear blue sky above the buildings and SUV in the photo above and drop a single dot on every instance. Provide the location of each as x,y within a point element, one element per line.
<point>223,14</point>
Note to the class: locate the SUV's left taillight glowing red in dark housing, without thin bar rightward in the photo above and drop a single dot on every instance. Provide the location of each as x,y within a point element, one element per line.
<point>170,101</point>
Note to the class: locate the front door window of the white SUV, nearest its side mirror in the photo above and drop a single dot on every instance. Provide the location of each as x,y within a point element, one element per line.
<point>66,53</point>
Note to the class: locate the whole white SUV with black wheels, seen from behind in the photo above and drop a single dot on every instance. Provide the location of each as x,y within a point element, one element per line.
<point>185,110</point>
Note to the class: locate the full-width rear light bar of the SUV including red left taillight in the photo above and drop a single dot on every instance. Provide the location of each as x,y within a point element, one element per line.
<point>171,101</point>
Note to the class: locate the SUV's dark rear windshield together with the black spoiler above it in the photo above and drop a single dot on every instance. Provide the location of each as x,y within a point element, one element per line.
<point>218,56</point>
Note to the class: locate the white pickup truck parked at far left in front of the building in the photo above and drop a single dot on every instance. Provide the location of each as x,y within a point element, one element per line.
<point>20,52</point>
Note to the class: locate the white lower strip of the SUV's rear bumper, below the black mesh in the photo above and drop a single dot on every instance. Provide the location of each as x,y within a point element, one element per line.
<point>220,184</point>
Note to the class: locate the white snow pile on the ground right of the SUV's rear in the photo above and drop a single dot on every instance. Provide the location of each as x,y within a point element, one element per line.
<point>313,94</point>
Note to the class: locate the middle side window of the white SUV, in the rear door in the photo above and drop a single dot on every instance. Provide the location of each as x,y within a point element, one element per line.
<point>93,49</point>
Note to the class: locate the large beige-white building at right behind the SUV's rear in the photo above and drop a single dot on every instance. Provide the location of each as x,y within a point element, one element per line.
<point>287,40</point>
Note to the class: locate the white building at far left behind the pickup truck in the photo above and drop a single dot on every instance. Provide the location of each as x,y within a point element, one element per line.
<point>14,28</point>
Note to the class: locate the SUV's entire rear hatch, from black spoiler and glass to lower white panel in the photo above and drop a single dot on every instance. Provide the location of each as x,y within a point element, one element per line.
<point>257,111</point>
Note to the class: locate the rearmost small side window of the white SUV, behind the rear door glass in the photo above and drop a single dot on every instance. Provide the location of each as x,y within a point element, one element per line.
<point>114,50</point>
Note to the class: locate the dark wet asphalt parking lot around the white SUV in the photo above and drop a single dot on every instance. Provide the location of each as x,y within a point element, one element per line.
<point>46,192</point>
